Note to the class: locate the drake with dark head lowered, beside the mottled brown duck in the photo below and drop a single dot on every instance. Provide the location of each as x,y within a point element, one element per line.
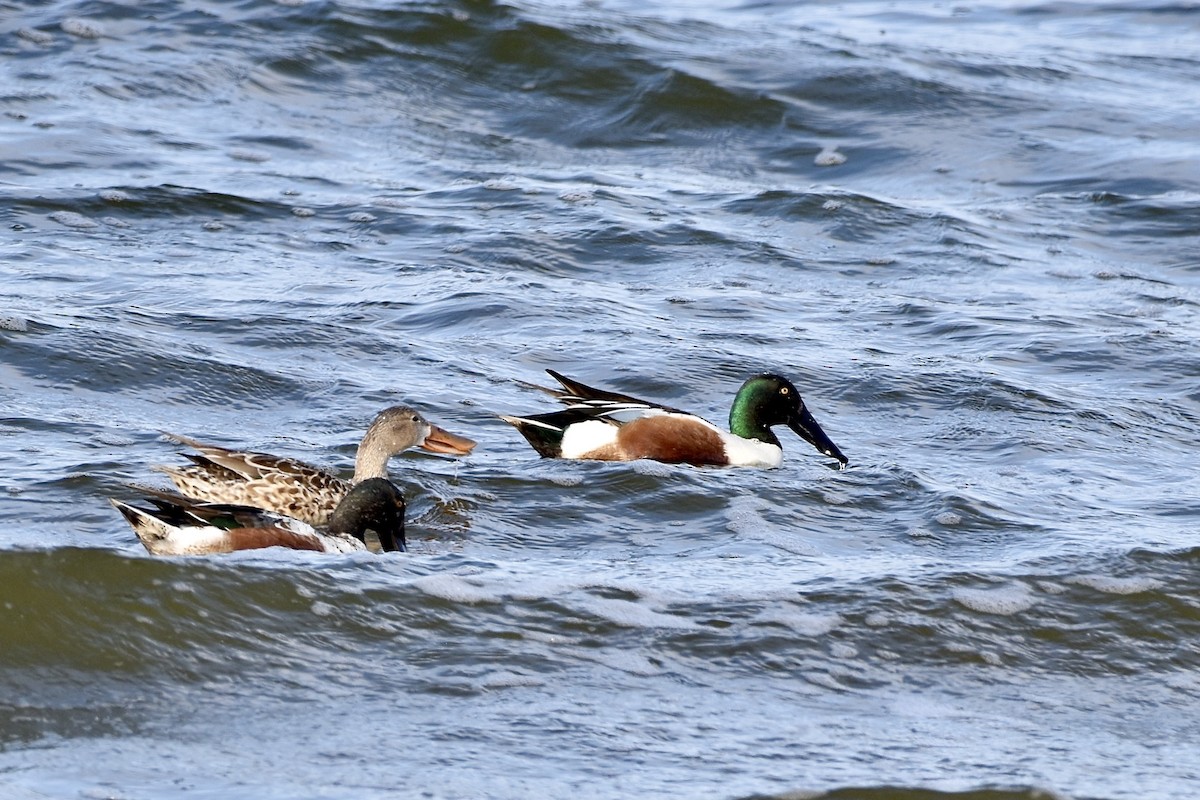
<point>178,526</point>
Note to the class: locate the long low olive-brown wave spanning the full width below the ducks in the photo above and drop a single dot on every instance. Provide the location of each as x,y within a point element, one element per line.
<point>208,619</point>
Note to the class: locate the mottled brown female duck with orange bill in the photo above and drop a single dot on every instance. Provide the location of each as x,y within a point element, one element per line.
<point>296,489</point>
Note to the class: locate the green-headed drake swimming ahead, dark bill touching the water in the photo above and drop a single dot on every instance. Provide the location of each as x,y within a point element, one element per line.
<point>607,426</point>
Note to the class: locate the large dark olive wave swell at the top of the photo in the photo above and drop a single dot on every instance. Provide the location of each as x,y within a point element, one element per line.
<point>609,92</point>
